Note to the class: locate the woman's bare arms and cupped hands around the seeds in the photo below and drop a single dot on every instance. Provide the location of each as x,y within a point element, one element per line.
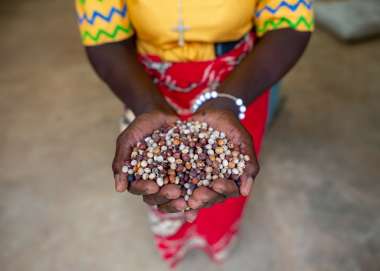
<point>116,64</point>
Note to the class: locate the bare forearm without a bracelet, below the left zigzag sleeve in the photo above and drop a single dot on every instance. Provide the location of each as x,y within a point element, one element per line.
<point>117,65</point>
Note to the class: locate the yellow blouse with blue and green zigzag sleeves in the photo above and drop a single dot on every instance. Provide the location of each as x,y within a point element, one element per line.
<point>206,22</point>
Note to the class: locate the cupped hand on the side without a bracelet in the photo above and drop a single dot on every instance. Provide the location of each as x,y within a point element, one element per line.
<point>168,197</point>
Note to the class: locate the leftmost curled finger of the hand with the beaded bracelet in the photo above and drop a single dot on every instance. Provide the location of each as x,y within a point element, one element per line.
<point>203,197</point>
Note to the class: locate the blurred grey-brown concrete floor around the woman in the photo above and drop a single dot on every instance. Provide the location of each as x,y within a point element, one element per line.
<point>316,204</point>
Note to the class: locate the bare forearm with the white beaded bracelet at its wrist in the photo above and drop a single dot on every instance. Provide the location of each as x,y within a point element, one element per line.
<point>272,57</point>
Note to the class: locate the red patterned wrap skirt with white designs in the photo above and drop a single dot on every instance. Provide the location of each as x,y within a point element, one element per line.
<point>214,228</point>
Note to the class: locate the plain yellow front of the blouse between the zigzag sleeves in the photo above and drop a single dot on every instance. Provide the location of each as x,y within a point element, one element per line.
<point>208,21</point>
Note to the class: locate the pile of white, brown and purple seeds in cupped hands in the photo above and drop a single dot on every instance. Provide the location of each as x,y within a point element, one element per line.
<point>190,154</point>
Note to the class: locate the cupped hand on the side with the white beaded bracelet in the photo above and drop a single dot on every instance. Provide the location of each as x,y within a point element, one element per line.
<point>222,189</point>
